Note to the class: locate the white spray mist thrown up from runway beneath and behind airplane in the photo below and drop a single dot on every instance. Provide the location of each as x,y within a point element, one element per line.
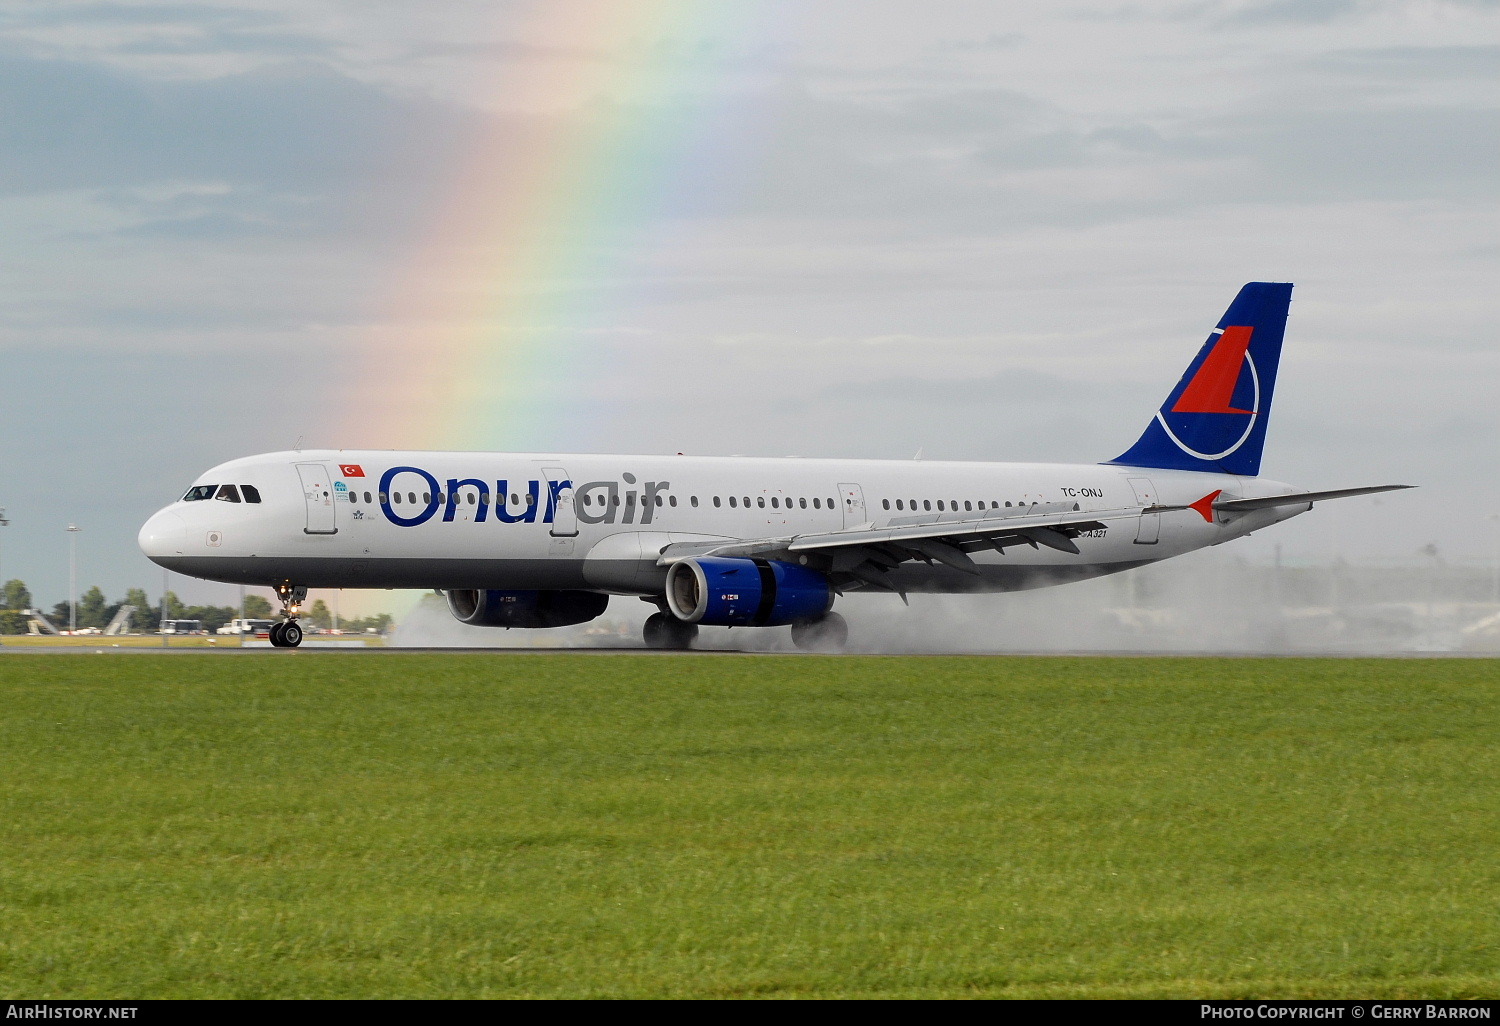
<point>1202,604</point>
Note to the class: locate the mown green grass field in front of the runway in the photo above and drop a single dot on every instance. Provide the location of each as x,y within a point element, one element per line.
<point>323,824</point>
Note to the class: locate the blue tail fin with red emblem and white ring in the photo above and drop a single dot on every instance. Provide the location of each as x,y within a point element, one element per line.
<point>1216,419</point>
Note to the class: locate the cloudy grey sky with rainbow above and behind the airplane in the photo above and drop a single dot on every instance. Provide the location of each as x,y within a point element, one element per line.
<point>982,230</point>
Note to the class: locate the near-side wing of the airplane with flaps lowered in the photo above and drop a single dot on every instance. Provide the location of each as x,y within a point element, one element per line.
<point>866,554</point>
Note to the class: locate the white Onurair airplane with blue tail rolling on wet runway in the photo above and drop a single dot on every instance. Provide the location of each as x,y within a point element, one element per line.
<point>547,539</point>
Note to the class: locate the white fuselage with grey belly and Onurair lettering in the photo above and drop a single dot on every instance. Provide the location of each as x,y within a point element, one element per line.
<point>599,523</point>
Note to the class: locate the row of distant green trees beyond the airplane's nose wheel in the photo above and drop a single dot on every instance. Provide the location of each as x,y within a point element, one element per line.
<point>97,611</point>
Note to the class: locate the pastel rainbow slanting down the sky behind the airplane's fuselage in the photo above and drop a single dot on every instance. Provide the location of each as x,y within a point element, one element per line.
<point>496,308</point>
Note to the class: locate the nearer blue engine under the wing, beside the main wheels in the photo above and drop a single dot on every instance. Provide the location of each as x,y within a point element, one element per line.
<point>746,593</point>
